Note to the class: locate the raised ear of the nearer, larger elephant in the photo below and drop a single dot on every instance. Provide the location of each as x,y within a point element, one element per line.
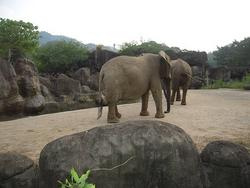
<point>165,70</point>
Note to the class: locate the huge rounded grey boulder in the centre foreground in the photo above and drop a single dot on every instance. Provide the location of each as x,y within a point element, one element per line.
<point>157,154</point>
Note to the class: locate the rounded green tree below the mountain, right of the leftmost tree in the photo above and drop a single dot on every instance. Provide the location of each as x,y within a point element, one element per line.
<point>60,56</point>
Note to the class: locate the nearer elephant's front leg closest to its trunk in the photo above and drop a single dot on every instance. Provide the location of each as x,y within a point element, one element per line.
<point>157,95</point>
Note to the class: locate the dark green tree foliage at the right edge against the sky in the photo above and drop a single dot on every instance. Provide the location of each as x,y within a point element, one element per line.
<point>235,54</point>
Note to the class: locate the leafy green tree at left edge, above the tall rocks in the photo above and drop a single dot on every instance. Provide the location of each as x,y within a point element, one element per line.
<point>17,38</point>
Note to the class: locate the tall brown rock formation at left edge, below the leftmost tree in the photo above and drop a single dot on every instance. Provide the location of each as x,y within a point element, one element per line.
<point>20,88</point>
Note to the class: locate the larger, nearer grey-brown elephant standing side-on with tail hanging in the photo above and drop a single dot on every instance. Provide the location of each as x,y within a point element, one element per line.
<point>125,78</point>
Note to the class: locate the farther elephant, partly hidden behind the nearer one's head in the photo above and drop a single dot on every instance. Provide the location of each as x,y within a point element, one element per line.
<point>181,78</point>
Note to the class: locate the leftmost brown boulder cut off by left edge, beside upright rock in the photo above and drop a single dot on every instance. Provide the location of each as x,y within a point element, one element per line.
<point>10,100</point>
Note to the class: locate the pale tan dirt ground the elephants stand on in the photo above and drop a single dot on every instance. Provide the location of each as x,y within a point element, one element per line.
<point>209,115</point>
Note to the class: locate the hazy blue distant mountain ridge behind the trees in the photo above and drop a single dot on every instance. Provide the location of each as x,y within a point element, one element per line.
<point>45,37</point>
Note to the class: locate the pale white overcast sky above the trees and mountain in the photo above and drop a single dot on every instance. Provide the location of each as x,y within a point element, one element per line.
<point>188,24</point>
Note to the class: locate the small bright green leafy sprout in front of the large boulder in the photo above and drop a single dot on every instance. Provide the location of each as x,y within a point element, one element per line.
<point>76,181</point>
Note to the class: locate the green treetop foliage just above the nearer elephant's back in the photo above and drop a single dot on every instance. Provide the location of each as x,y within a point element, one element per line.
<point>134,49</point>
